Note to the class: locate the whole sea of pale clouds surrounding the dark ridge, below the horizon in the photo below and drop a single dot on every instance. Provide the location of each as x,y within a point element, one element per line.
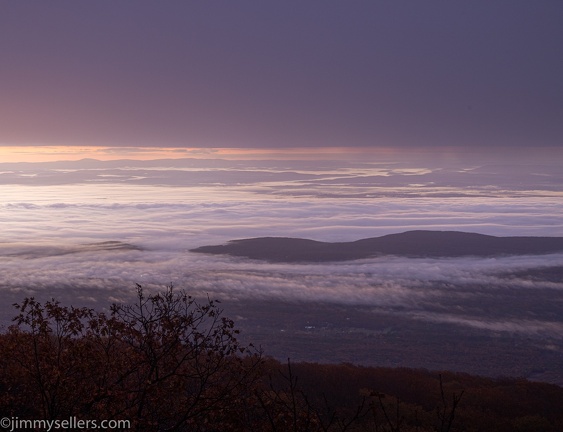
<point>57,220</point>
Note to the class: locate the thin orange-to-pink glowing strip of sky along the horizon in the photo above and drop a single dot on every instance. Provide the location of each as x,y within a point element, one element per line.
<point>431,155</point>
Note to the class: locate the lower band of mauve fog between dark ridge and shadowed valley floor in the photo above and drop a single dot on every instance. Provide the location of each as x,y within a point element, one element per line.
<point>492,294</point>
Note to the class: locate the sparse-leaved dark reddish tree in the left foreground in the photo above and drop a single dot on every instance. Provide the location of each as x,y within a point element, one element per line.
<point>166,362</point>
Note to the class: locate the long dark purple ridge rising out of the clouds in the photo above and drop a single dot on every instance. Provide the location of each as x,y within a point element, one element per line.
<point>409,244</point>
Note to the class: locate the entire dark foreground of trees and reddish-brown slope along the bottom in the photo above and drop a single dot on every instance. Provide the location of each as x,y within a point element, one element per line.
<point>169,362</point>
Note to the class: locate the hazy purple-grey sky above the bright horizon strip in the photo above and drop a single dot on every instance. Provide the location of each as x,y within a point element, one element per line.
<point>281,73</point>
